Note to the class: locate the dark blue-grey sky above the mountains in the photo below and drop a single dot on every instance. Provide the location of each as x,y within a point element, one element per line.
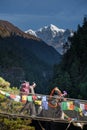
<point>35,14</point>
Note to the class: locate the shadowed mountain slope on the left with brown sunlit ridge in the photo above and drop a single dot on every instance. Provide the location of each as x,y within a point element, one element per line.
<point>25,57</point>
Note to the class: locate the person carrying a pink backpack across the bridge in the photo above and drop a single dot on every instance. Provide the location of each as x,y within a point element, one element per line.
<point>27,89</point>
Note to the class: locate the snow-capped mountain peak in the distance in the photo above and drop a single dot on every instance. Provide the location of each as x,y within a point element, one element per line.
<point>53,36</point>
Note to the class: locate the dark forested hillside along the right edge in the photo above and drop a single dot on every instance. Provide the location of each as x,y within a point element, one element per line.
<point>71,74</point>
